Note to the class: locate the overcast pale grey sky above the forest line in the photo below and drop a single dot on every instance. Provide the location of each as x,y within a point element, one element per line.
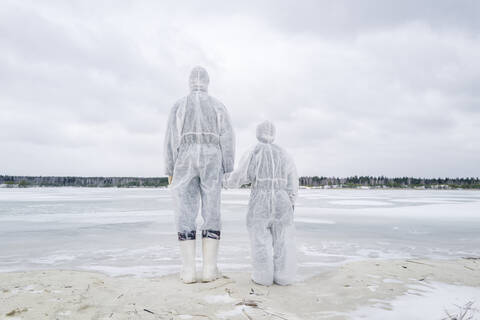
<point>354,87</point>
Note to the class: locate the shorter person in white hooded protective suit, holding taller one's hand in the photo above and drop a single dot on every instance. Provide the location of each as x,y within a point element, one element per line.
<point>274,187</point>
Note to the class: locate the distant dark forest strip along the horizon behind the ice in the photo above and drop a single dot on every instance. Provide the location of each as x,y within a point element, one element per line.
<point>314,182</point>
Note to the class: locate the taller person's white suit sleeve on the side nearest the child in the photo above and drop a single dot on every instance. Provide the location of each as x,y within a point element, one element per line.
<point>227,142</point>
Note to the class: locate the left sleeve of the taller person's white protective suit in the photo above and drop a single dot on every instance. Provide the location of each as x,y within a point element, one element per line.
<point>171,142</point>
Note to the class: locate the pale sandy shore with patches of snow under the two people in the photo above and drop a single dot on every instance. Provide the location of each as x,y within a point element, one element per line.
<point>372,289</point>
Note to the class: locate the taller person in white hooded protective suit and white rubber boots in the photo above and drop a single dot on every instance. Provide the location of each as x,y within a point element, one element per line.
<point>199,149</point>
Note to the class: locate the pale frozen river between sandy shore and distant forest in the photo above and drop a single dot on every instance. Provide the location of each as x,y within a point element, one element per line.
<point>131,231</point>
